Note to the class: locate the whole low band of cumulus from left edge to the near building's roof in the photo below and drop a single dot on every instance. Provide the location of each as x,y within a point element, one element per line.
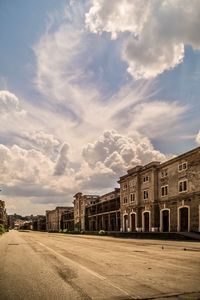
<point>33,174</point>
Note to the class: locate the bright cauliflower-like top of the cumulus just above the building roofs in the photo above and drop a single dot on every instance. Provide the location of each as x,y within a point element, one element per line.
<point>117,152</point>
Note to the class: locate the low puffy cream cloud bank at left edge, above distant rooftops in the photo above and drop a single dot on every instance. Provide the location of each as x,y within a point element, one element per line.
<point>30,173</point>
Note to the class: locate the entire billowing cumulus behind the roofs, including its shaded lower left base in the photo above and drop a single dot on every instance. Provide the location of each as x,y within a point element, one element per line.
<point>110,156</point>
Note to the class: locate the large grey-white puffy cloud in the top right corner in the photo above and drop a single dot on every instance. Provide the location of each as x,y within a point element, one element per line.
<point>156,31</point>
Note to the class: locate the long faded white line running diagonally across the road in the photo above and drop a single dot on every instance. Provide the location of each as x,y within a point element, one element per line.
<point>89,271</point>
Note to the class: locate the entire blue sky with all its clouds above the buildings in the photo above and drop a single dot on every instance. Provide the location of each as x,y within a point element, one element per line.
<point>89,89</point>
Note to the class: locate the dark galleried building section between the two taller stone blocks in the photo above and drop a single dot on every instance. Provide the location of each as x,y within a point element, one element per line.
<point>104,213</point>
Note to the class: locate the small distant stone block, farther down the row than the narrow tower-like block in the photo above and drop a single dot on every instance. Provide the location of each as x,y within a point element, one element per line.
<point>53,218</point>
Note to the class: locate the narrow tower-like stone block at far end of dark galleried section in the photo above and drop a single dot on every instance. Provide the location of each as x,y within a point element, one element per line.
<point>80,202</point>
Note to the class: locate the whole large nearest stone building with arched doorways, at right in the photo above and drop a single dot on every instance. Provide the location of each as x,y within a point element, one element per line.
<point>162,197</point>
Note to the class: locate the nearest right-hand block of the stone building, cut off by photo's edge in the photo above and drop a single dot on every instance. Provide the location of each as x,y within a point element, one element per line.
<point>179,193</point>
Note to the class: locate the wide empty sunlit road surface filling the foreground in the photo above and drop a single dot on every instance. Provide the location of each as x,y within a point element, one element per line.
<point>36,266</point>
